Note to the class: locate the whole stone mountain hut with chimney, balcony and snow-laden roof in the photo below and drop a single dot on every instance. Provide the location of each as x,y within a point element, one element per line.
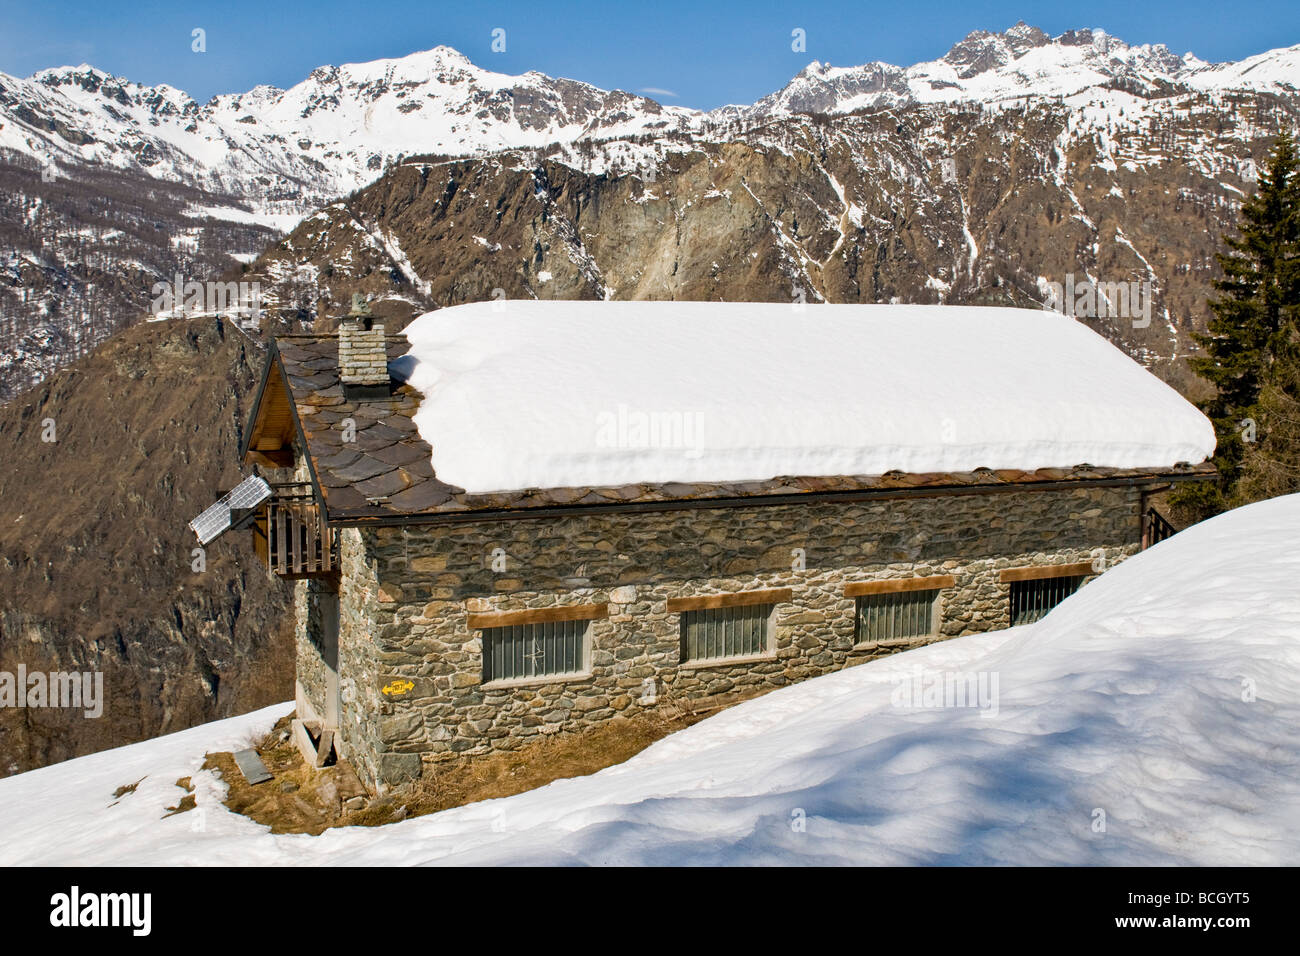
<point>523,518</point>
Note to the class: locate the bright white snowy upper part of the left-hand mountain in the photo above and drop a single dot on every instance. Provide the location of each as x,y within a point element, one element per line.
<point>324,137</point>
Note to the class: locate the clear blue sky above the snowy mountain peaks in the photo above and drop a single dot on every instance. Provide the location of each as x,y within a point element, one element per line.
<point>708,54</point>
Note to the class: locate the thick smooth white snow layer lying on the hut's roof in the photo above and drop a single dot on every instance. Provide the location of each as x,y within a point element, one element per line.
<point>582,395</point>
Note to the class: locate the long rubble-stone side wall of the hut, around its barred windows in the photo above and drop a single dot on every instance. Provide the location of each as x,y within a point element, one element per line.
<point>414,668</point>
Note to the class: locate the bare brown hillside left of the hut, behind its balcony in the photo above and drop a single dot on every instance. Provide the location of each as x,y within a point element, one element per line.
<point>98,564</point>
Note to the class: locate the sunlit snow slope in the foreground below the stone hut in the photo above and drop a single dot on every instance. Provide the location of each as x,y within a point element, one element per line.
<point>1163,697</point>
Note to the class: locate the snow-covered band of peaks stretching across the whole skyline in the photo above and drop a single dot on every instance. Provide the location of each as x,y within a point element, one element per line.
<point>344,126</point>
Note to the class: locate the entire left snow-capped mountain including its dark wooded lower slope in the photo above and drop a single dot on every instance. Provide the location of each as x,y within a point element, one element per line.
<point>252,166</point>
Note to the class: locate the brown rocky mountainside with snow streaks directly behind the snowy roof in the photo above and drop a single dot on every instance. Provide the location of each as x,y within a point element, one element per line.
<point>920,204</point>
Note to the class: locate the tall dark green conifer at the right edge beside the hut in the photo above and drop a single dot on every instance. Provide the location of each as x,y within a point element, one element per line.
<point>1260,297</point>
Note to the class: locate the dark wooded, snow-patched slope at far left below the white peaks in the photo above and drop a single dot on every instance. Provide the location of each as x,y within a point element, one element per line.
<point>80,254</point>
